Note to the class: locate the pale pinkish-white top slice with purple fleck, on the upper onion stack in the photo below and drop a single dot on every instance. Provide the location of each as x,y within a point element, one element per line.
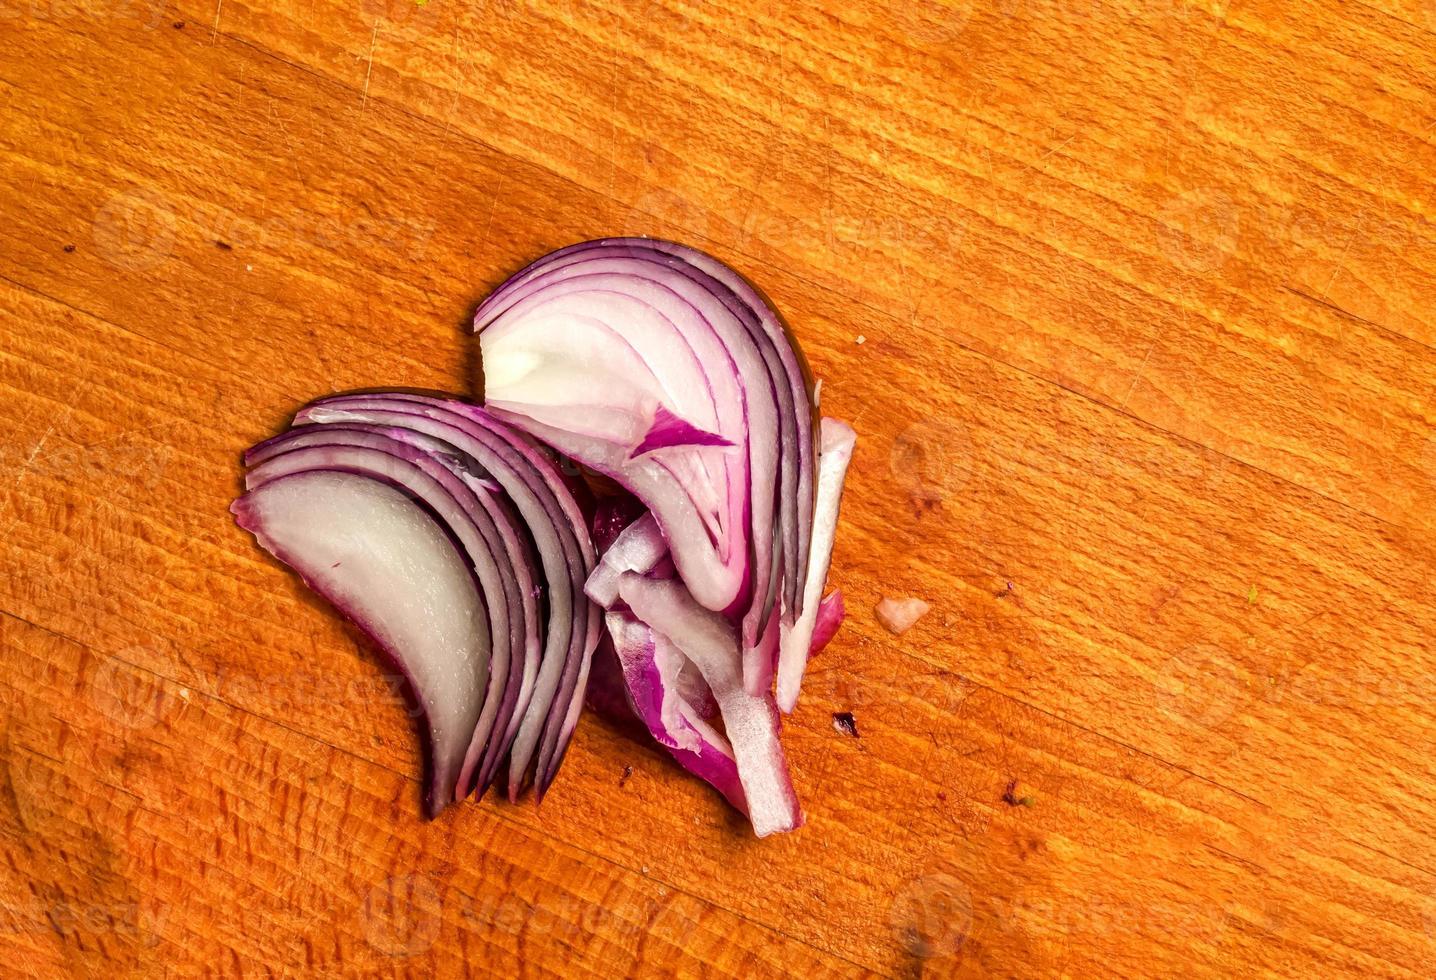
<point>656,357</point>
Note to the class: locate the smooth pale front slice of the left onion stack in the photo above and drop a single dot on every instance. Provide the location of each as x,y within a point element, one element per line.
<point>390,567</point>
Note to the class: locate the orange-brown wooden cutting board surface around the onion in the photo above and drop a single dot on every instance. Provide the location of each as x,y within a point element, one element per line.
<point>1129,301</point>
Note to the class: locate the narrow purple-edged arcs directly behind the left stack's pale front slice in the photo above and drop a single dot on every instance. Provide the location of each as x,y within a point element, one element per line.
<point>413,463</point>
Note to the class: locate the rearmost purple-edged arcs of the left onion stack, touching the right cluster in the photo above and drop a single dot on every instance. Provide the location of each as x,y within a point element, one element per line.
<point>562,542</point>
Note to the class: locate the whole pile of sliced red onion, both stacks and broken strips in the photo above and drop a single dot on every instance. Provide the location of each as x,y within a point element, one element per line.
<point>668,377</point>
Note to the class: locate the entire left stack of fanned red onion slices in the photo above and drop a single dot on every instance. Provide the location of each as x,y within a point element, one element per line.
<point>503,512</point>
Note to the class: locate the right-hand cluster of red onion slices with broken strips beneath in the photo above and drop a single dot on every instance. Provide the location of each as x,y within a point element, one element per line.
<point>666,371</point>
